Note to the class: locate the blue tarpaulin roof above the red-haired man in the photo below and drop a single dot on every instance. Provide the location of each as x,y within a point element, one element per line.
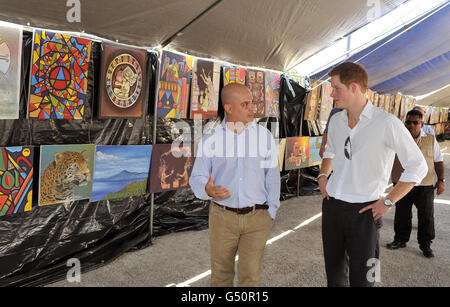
<point>412,62</point>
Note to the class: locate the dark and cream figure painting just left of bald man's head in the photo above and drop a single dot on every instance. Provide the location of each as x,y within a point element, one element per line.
<point>205,89</point>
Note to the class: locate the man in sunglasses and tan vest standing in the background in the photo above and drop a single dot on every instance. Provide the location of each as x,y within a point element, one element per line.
<point>422,195</point>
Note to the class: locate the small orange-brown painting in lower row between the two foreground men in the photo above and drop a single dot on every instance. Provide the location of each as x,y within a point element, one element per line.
<point>297,151</point>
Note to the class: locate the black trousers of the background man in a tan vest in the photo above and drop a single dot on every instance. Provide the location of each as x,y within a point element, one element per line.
<point>423,198</point>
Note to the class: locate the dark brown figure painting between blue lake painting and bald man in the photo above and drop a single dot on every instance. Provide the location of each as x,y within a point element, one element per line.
<point>171,167</point>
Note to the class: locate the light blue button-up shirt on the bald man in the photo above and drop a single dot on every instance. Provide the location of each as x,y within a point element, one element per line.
<point>245,163</point>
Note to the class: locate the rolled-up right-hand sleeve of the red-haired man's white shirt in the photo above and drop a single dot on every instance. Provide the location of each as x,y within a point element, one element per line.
<point>409,154</point>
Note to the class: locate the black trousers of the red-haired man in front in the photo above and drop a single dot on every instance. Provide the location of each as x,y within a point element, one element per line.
<point>350,243</point>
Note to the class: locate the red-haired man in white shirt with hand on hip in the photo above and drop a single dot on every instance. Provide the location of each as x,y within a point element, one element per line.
<point>362,143</point>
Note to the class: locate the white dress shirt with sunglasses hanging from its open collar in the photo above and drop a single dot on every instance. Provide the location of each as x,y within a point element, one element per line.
<point>374,141</point>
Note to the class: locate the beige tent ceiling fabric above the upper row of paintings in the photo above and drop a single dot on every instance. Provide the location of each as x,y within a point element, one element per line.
<point>263,33</point>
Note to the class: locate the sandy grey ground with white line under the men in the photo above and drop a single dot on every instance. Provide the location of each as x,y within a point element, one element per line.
<point>294,257</point>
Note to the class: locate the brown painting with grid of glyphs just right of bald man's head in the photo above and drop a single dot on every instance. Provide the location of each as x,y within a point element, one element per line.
<point>256,84</point>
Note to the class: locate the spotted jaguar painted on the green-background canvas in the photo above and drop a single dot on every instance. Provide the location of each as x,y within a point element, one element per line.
<point>58,181</point>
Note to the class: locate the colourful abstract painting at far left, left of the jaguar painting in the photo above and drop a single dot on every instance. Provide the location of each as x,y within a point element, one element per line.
<point>16,179</point>
